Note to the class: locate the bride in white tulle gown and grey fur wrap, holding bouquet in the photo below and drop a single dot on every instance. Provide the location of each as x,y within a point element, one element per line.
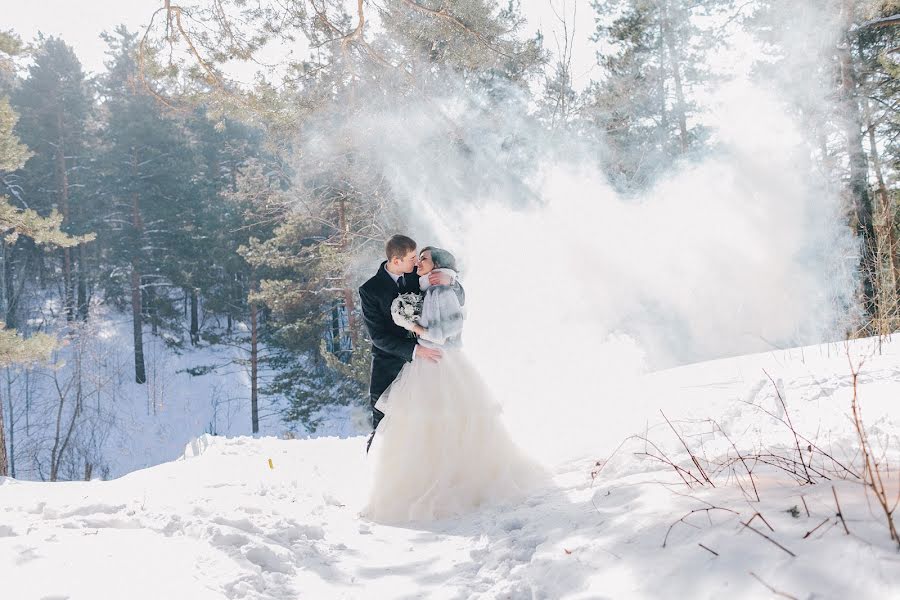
<point>441,449</point>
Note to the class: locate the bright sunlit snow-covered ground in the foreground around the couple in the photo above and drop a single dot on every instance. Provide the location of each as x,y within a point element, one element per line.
<point>225,522</point>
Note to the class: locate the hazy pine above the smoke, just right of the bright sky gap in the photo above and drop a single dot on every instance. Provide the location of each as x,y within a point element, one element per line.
<point>644,104</point>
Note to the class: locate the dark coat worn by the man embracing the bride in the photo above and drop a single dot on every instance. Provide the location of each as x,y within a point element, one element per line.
<point>392,346</point>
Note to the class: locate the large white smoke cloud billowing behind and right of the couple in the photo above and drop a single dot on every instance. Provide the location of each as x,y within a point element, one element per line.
<point>574,290</point>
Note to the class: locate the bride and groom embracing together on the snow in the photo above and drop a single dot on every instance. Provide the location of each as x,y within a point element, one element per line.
<point>439,447</point>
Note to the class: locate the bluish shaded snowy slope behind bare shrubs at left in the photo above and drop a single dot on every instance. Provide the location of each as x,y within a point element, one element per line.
<point>122,426</point>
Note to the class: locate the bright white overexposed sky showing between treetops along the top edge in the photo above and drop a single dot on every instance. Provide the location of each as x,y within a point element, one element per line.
<point>80,25</point>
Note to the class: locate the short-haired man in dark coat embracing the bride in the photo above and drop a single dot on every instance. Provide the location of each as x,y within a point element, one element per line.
<point>393,346</point>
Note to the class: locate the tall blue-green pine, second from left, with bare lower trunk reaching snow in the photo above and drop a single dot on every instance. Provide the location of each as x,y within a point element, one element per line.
<point>149,195</point>
